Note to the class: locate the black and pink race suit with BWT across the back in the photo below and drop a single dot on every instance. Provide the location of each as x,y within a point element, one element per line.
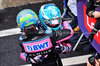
<point>38,49</point>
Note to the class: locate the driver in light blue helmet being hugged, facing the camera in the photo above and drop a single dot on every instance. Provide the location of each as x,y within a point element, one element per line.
<point>50,17</point>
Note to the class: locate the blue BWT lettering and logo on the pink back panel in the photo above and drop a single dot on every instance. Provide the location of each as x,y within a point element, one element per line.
<point>38,46</point>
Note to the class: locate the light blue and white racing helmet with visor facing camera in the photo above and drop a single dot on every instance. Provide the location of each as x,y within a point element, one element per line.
<point>50,16</point>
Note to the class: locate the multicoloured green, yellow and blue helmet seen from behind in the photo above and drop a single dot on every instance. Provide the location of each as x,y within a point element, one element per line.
<point>27,18</point>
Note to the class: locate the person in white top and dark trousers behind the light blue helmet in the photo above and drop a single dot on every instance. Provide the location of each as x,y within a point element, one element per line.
<point>72,4</point>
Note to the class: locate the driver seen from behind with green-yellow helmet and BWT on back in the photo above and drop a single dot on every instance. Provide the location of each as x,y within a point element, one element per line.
<point>41,47</point>
